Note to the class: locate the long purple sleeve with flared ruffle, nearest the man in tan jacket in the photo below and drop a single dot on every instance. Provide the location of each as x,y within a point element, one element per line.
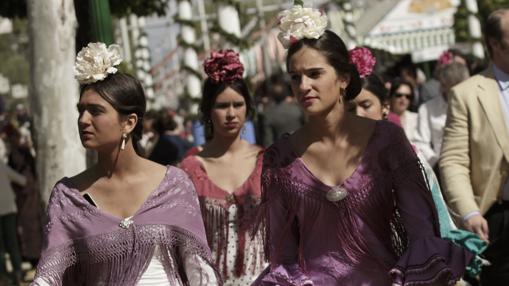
<point>428,258</point>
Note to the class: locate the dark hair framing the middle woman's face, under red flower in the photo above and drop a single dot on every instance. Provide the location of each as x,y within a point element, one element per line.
<point>211,90</point>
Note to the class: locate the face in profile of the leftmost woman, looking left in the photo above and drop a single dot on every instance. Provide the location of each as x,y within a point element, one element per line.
<point>99,123</point>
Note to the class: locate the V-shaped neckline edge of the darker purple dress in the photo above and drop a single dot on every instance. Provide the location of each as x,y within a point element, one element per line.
<point>356,170</point>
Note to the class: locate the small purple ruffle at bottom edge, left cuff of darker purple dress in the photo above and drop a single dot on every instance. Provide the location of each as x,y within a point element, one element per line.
<point>289,275</point>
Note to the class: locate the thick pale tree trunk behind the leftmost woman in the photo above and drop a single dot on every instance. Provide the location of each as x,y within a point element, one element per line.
<point>54,91</point>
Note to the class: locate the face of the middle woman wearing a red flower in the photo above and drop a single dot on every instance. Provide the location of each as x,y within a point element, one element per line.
<point>228,113</point>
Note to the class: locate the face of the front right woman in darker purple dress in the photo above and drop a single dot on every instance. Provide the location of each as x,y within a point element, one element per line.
<point>314,81</point>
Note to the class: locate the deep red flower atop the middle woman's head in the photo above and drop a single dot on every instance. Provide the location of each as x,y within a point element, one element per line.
<point>223,66</point>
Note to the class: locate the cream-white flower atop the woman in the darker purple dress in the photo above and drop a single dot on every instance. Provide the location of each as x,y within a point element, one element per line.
<point>299,22</point>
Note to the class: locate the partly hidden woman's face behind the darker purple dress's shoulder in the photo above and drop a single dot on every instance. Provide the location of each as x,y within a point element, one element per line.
<point>366,104</point>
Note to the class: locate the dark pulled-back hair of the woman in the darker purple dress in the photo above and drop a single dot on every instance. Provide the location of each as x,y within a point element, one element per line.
<point>334,50</point>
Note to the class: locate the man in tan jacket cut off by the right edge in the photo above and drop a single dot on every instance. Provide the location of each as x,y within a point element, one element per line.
<point>475,152</point>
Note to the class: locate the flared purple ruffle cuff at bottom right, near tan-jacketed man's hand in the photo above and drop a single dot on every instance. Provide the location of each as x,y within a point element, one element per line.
<point>428,260</point>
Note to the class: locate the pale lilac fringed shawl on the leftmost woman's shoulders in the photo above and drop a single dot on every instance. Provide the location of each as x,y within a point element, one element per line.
<point>85,246</point>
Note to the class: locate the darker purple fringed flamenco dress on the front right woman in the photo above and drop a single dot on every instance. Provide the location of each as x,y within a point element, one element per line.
<point>384,232</point>
